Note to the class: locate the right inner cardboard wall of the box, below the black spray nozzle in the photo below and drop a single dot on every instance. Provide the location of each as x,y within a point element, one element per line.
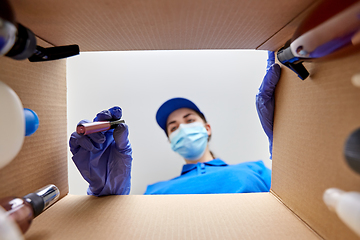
<point>313,119</point>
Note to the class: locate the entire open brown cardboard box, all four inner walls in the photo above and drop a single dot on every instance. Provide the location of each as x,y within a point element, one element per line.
<point>313,118</point>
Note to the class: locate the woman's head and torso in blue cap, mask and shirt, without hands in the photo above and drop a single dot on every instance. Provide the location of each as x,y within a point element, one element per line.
<point>189,133</point>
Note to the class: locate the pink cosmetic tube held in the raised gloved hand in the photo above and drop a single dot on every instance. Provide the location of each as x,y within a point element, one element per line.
<point>93,127</point>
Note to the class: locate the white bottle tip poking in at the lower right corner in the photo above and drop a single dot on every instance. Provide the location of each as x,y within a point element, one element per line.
<point>346,205</point>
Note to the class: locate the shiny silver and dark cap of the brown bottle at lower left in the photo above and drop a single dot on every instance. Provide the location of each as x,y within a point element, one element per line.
<point>43,198</point>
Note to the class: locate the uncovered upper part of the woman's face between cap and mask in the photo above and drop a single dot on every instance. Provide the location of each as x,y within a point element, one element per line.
<point>184,116</point>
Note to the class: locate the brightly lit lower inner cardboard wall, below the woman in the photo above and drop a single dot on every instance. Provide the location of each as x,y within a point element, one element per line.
<point>218,216</point>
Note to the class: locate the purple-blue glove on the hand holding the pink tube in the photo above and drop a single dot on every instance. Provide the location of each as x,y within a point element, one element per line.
<point>104,158</point>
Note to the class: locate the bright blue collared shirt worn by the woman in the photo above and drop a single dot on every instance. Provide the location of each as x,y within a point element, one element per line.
<point>216,177</point>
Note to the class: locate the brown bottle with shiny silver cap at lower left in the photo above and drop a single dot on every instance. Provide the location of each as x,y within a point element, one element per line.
<point>22,210</point>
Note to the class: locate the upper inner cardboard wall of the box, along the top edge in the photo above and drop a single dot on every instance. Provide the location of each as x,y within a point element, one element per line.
<point>161,24</point>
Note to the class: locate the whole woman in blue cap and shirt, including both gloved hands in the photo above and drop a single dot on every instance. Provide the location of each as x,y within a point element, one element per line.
<point>104,159</point>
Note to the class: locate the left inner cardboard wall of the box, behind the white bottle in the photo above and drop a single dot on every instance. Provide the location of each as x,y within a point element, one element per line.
<point>43,157</point>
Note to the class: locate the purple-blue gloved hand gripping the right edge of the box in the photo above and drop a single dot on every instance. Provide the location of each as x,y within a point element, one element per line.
<point>265,101</point>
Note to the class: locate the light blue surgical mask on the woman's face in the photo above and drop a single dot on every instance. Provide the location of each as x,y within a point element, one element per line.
<point>189,140</point>
